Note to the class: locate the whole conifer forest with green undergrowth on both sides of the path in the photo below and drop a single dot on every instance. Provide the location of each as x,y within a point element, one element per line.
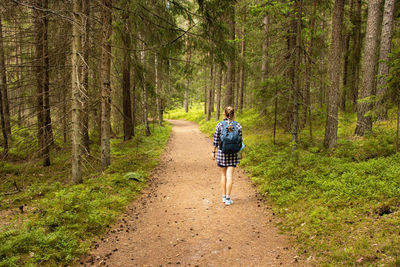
<point>85,86</point>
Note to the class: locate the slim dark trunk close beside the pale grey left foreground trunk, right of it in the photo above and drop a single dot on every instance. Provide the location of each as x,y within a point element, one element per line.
<point>85,74</point>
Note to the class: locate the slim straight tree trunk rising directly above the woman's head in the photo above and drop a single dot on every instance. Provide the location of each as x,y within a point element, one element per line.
<point>229,97</point>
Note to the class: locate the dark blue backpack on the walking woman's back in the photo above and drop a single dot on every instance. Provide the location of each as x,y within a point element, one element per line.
<point>231,141</point>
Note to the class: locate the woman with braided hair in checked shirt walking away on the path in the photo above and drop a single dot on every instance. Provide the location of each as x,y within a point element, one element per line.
<point>227,160</point>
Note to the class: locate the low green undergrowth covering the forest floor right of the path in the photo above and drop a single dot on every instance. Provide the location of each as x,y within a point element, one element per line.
<point>341,205</point>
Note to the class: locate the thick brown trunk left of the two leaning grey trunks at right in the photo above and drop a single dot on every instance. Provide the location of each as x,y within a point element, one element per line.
<point>331,125</point>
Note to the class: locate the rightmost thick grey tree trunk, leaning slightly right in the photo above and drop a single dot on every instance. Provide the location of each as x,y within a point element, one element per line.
<point>383,68</point>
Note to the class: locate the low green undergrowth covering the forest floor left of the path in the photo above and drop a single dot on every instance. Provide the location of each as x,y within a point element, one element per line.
<point>64,219</point>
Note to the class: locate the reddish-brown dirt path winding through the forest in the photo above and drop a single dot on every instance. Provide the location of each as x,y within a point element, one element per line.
<point>181,219</point>
